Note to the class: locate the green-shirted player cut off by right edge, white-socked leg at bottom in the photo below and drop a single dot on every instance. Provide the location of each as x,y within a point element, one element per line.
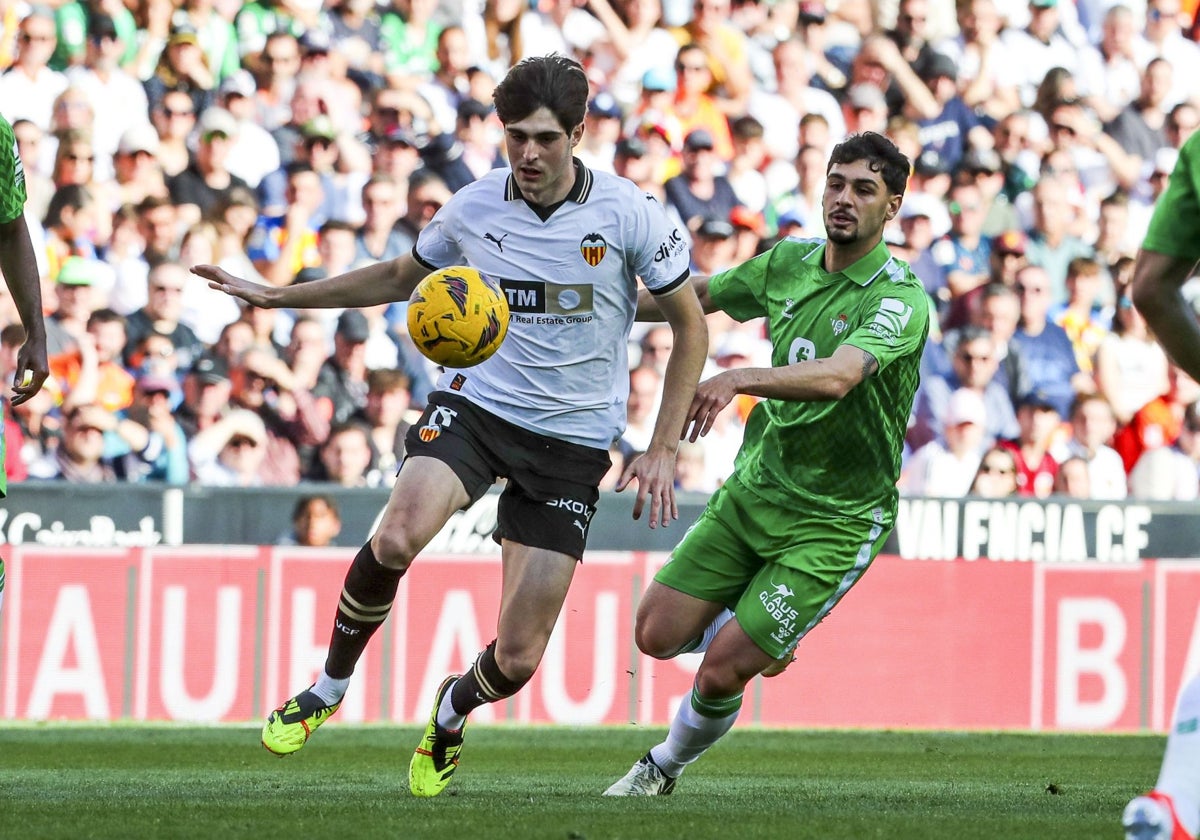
<point>1168,260</point>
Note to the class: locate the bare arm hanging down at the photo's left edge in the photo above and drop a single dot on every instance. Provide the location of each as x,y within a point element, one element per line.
<point>20,268</point>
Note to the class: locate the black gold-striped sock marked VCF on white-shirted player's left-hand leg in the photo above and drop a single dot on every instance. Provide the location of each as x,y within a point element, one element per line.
<point>367,601</point>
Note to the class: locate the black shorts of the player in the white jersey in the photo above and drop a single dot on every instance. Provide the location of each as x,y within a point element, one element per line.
<point>553,487</point>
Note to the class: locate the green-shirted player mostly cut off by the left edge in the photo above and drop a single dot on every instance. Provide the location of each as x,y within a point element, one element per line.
<point>20,269</point>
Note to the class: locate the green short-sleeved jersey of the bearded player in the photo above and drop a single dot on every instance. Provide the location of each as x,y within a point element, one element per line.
<point>839,457</point>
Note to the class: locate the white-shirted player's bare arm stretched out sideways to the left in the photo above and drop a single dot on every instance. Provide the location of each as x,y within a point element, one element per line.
<point>379,284</point>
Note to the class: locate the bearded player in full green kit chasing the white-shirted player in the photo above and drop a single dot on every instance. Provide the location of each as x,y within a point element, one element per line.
<point>813,496</point>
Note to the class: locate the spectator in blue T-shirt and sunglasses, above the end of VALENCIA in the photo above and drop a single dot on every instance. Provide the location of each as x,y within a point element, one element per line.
<point>1048,357</point>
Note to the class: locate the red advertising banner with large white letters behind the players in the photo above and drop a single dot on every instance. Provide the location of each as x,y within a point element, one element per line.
<point>226,634</point>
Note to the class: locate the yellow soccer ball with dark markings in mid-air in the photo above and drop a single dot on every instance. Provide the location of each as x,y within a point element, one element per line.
<point>458,317</point>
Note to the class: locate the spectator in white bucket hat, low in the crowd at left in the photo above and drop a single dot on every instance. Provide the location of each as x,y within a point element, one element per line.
<point>231,453</point>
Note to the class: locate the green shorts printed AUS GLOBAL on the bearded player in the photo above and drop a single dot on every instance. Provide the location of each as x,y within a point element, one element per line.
<point>782,572</point>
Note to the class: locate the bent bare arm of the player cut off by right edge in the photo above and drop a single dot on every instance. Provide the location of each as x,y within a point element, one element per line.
<point>1157,284</point>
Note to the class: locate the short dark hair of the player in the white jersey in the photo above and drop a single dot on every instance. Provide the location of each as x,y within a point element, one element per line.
<point>554,82</point>
